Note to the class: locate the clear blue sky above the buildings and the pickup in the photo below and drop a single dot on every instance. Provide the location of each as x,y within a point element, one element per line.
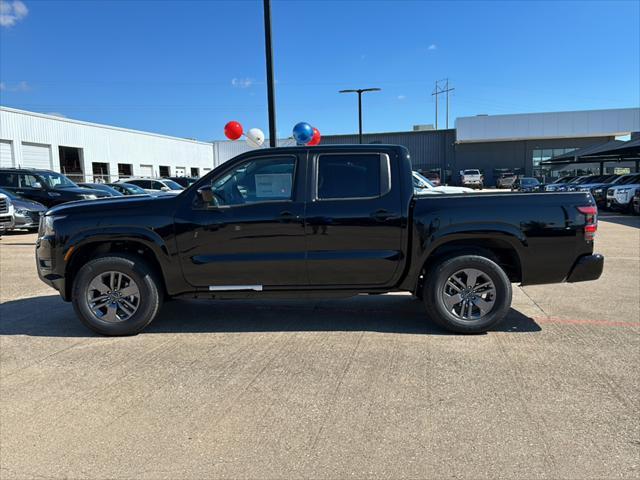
<point>185,68</point>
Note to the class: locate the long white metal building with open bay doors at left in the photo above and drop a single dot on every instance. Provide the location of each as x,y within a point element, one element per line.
<point>89,151</point>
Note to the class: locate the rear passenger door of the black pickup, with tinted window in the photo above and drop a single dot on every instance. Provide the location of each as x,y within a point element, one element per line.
<point>354,219</point>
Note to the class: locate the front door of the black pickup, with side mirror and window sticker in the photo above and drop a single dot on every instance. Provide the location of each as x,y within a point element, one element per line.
<point>252,235</point>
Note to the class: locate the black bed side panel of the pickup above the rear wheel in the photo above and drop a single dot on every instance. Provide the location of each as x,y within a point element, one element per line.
<point>545,230</point>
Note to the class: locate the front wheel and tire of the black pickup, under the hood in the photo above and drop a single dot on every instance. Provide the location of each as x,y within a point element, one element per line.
<point>125,315</point>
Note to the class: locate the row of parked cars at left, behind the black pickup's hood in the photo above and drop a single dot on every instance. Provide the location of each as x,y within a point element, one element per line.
<point>25,193</point>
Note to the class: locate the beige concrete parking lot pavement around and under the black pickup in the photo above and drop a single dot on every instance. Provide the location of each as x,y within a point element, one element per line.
<point>357,388</point>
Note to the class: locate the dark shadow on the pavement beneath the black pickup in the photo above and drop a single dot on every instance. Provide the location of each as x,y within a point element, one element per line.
<point>49,316</point>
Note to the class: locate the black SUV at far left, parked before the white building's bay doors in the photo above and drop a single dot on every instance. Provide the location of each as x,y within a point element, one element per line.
<point>44,186</point>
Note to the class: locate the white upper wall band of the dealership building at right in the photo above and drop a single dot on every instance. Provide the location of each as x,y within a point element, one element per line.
<point>588,123</point>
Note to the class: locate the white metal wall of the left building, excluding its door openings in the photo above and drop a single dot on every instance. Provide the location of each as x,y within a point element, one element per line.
<point>101,143</point>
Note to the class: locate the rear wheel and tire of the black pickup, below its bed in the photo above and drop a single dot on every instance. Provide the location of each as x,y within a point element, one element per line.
<point>436,289</point>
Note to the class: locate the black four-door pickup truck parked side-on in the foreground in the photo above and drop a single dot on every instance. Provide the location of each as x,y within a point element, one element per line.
<point>308,222</point>
